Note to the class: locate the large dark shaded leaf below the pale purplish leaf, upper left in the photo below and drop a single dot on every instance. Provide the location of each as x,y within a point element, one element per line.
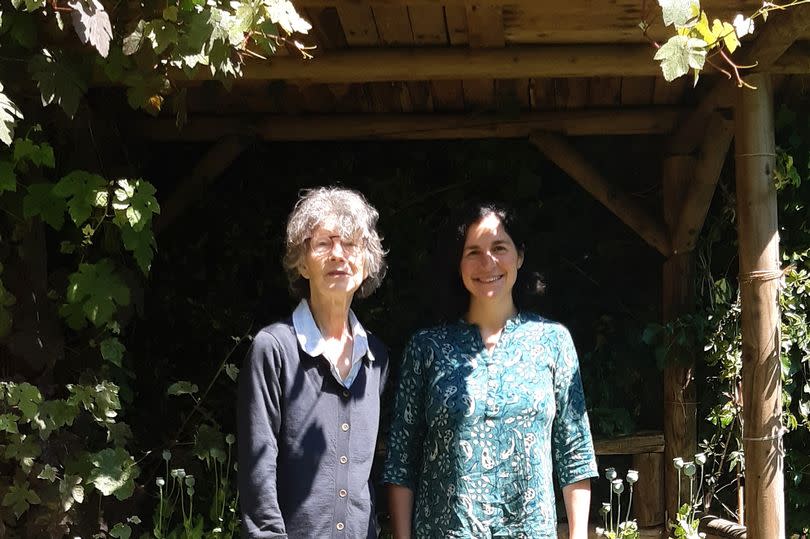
<point>58,81</point>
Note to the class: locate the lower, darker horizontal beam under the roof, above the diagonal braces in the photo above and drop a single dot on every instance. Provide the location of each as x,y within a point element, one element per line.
<point>656,120</point>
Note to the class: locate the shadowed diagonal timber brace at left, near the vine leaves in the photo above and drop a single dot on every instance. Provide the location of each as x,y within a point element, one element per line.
<point>210,166</point>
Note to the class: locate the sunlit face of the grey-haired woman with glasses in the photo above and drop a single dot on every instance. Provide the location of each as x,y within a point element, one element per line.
<point>333,265</point>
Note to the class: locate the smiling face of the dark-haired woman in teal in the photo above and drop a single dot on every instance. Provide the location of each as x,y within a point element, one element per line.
<point>490,260</point>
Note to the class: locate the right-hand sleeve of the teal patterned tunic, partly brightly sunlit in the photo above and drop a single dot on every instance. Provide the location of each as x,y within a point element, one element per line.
<point>572,445</point>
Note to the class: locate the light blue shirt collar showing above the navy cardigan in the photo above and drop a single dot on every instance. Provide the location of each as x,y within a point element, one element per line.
<point>312,342</point>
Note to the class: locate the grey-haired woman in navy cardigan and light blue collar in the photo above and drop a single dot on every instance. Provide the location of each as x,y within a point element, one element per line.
<point>309,393</point>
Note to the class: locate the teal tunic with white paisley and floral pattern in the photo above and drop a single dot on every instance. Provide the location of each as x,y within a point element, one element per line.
<point>474,433</point>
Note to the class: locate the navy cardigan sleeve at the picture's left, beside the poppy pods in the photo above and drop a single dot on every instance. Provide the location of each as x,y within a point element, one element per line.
<point>258,424</point>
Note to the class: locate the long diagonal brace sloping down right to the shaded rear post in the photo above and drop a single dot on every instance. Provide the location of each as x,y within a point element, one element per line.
<point>575,165</point>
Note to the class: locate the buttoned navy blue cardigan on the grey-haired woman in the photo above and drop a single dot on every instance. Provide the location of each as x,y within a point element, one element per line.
<point>306,443</point>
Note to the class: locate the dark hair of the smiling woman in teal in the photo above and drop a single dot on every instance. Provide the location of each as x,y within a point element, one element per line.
<point>453,298</point>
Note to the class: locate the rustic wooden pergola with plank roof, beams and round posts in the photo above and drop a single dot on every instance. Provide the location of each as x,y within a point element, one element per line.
<point>455,69</point>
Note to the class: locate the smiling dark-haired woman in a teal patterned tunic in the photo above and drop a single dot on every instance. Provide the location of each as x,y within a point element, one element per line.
<point>488,404</point>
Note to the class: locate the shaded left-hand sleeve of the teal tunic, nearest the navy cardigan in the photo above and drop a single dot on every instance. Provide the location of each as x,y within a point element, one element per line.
<point>408,422</point>
